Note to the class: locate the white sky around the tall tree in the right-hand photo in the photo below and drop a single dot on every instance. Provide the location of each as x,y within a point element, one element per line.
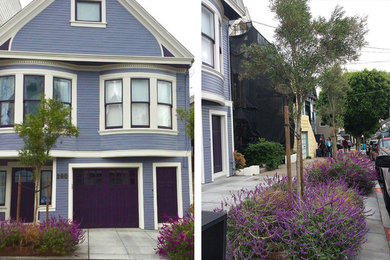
<point>375,55</point>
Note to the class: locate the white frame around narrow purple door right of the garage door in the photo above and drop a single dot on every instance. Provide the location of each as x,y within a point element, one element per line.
<point>179,191</point>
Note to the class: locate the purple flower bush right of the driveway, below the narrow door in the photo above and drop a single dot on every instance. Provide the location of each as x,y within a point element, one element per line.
<point>176,240</point>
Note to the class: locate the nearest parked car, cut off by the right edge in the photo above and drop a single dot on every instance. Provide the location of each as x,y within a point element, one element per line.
<point>382,163</point>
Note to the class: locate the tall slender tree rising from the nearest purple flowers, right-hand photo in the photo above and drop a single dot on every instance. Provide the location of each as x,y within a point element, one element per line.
<point>303,48</point>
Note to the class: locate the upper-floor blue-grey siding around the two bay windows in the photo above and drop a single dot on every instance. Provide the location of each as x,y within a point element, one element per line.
<point>88,119</point>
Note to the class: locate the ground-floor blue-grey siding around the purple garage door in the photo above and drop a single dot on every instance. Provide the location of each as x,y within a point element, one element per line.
<point>62,191</point>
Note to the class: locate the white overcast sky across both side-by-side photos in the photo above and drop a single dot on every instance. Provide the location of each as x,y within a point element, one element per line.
<point>183,24</point>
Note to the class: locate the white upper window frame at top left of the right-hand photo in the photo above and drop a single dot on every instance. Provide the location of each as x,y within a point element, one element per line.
<point>218,26</point>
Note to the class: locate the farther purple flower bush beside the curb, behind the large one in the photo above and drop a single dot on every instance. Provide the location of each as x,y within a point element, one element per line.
<point>353,168</point>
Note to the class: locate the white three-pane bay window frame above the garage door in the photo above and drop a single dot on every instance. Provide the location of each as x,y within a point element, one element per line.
<point>126,95</point>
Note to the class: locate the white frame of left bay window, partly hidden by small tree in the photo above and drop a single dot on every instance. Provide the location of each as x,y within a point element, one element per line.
<point>49,76</point>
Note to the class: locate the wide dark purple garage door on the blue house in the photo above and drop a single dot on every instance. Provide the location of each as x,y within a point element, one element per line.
<point>105,198</point>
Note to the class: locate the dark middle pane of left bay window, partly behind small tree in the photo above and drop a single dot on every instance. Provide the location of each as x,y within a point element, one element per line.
<point>33,93</point>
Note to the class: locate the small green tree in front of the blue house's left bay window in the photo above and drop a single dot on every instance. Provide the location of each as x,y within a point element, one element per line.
<point>40,132</point>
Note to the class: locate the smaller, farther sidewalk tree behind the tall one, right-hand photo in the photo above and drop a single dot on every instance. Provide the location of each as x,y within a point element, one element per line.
<point>331,102</point>
